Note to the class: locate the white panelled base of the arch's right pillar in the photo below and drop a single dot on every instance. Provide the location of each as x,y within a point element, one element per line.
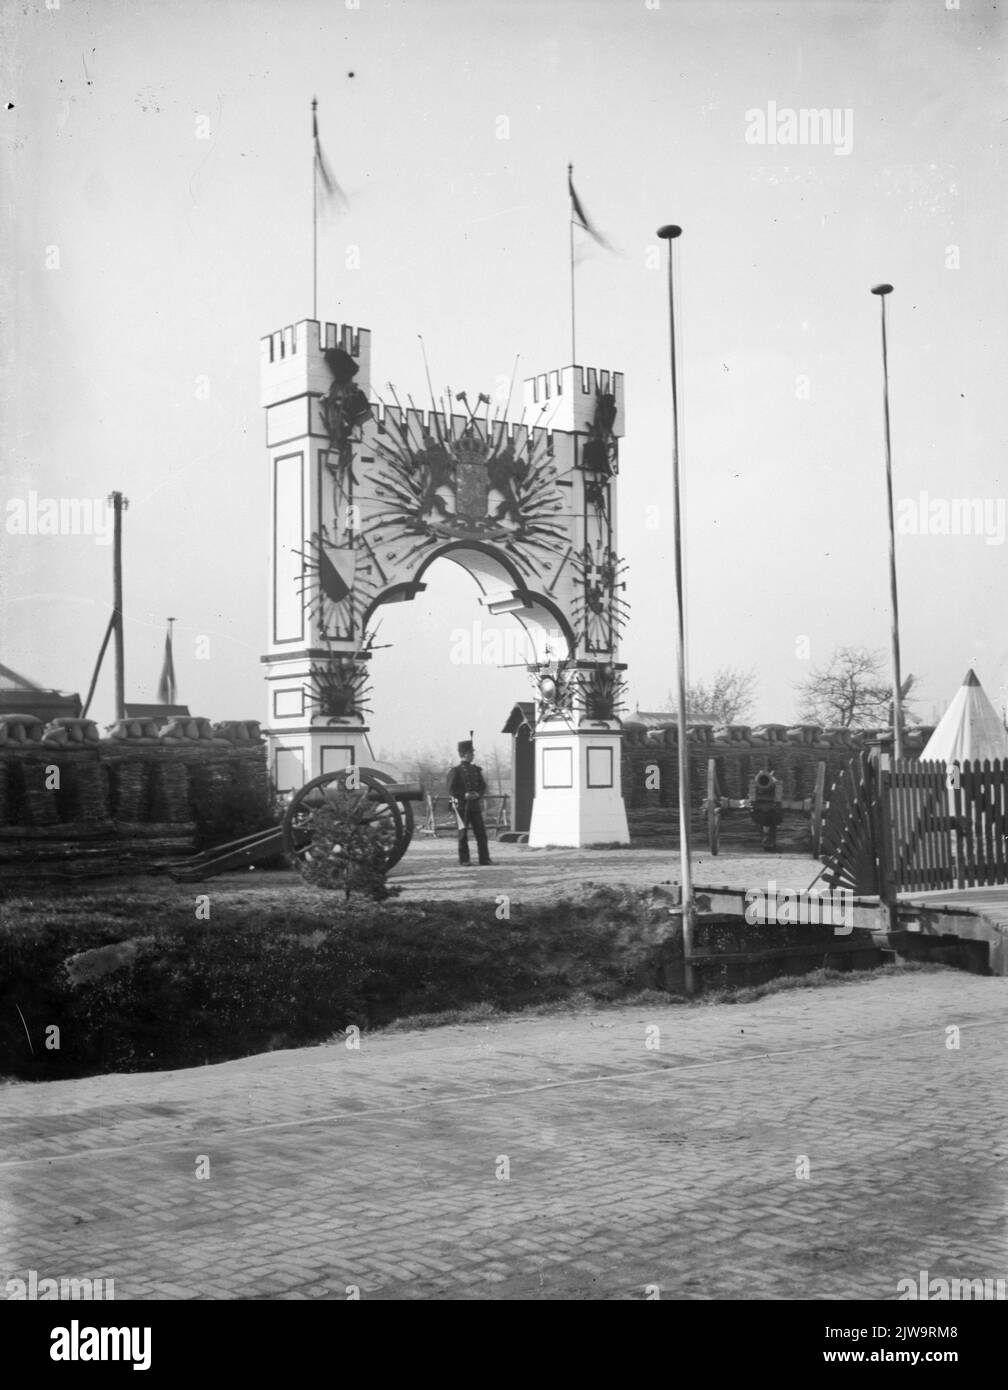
<point>579,796</point>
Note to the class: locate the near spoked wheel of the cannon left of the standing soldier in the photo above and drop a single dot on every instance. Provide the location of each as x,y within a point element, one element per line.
<point>348,821</point>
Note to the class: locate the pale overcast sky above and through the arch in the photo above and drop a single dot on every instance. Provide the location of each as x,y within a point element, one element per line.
<point>163,151</point>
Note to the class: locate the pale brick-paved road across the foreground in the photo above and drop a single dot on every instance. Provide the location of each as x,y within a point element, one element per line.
<point>548,1159</point>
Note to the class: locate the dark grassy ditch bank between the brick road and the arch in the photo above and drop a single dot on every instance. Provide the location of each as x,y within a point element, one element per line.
<point>92,985</point>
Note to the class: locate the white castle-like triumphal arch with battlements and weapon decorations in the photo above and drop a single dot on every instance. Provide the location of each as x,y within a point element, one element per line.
<point>368,491</point>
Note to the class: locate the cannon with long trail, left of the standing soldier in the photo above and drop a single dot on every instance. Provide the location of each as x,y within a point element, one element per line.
<point>336,829</point>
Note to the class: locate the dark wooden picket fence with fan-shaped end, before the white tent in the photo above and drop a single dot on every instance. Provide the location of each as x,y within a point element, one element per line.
<point>913,826</point>
